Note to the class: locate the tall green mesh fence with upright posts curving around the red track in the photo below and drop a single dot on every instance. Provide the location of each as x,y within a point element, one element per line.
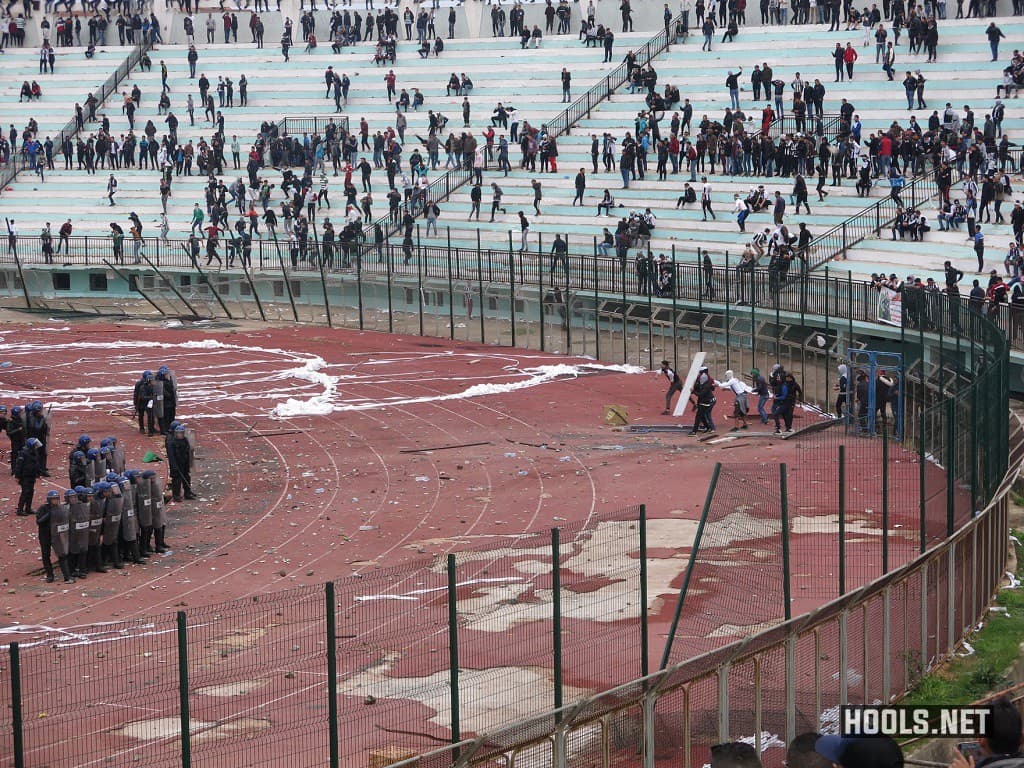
<point>842,578</point>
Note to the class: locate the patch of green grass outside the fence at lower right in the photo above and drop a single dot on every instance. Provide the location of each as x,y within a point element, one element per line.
<point>997,647</point>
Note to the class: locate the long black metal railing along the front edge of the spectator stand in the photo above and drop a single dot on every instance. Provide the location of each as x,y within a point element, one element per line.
<point>829,293</point>
